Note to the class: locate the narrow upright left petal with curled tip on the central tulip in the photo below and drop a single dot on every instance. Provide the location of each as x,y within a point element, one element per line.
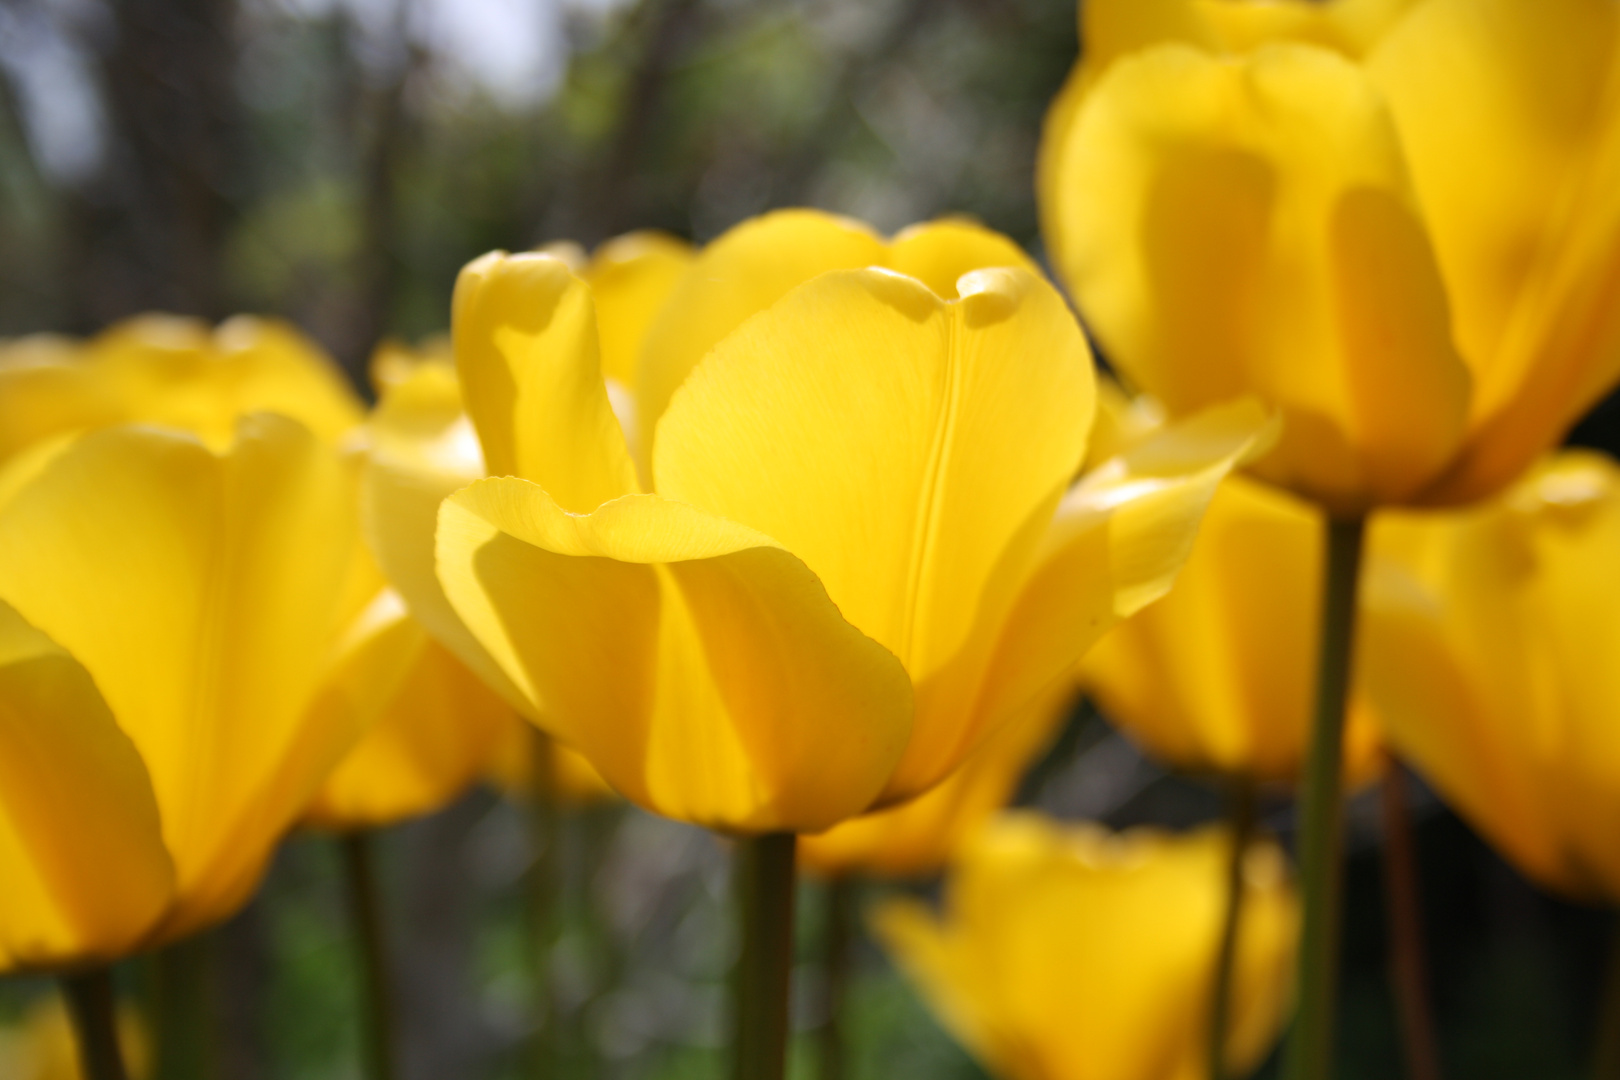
<point>526,349</point>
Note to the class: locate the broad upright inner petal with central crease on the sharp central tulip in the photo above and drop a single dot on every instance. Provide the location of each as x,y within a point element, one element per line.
<point>892,441</point>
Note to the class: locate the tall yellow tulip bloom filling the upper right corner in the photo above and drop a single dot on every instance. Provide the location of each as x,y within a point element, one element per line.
<point>1396,223</point>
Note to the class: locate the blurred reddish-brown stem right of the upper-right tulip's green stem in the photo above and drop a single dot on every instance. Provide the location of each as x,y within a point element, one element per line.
<point>1409,967</point>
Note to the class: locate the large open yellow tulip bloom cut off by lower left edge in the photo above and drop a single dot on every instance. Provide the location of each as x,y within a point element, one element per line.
<point>190,600</point>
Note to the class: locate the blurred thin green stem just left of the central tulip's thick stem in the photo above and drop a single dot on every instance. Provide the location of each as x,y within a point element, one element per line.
<point>544,895</point>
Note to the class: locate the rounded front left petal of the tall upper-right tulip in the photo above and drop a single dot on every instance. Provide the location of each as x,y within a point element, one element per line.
<point>1247,227</point>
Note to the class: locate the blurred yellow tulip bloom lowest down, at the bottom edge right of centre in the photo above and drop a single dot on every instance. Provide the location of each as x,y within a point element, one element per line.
<point>1067,951</point>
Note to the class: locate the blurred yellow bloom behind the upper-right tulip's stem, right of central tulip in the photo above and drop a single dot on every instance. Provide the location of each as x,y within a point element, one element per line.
<point>1219,674</point>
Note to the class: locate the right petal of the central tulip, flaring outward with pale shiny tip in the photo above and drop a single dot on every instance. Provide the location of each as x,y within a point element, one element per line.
<point>1115,546</point>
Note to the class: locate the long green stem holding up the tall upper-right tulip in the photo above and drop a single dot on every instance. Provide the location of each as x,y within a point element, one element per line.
<point>1321,812</point>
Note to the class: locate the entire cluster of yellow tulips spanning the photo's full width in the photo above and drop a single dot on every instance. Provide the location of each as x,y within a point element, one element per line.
<point>811,537</point>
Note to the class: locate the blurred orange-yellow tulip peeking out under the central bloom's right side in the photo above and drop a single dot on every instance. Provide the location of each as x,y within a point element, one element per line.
<point>918,838</point>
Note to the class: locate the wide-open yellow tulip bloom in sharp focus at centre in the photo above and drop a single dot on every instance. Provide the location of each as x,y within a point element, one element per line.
<point>848,566</point>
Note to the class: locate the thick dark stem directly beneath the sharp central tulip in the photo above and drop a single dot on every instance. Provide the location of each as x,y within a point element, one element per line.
<point>764,880</point>
